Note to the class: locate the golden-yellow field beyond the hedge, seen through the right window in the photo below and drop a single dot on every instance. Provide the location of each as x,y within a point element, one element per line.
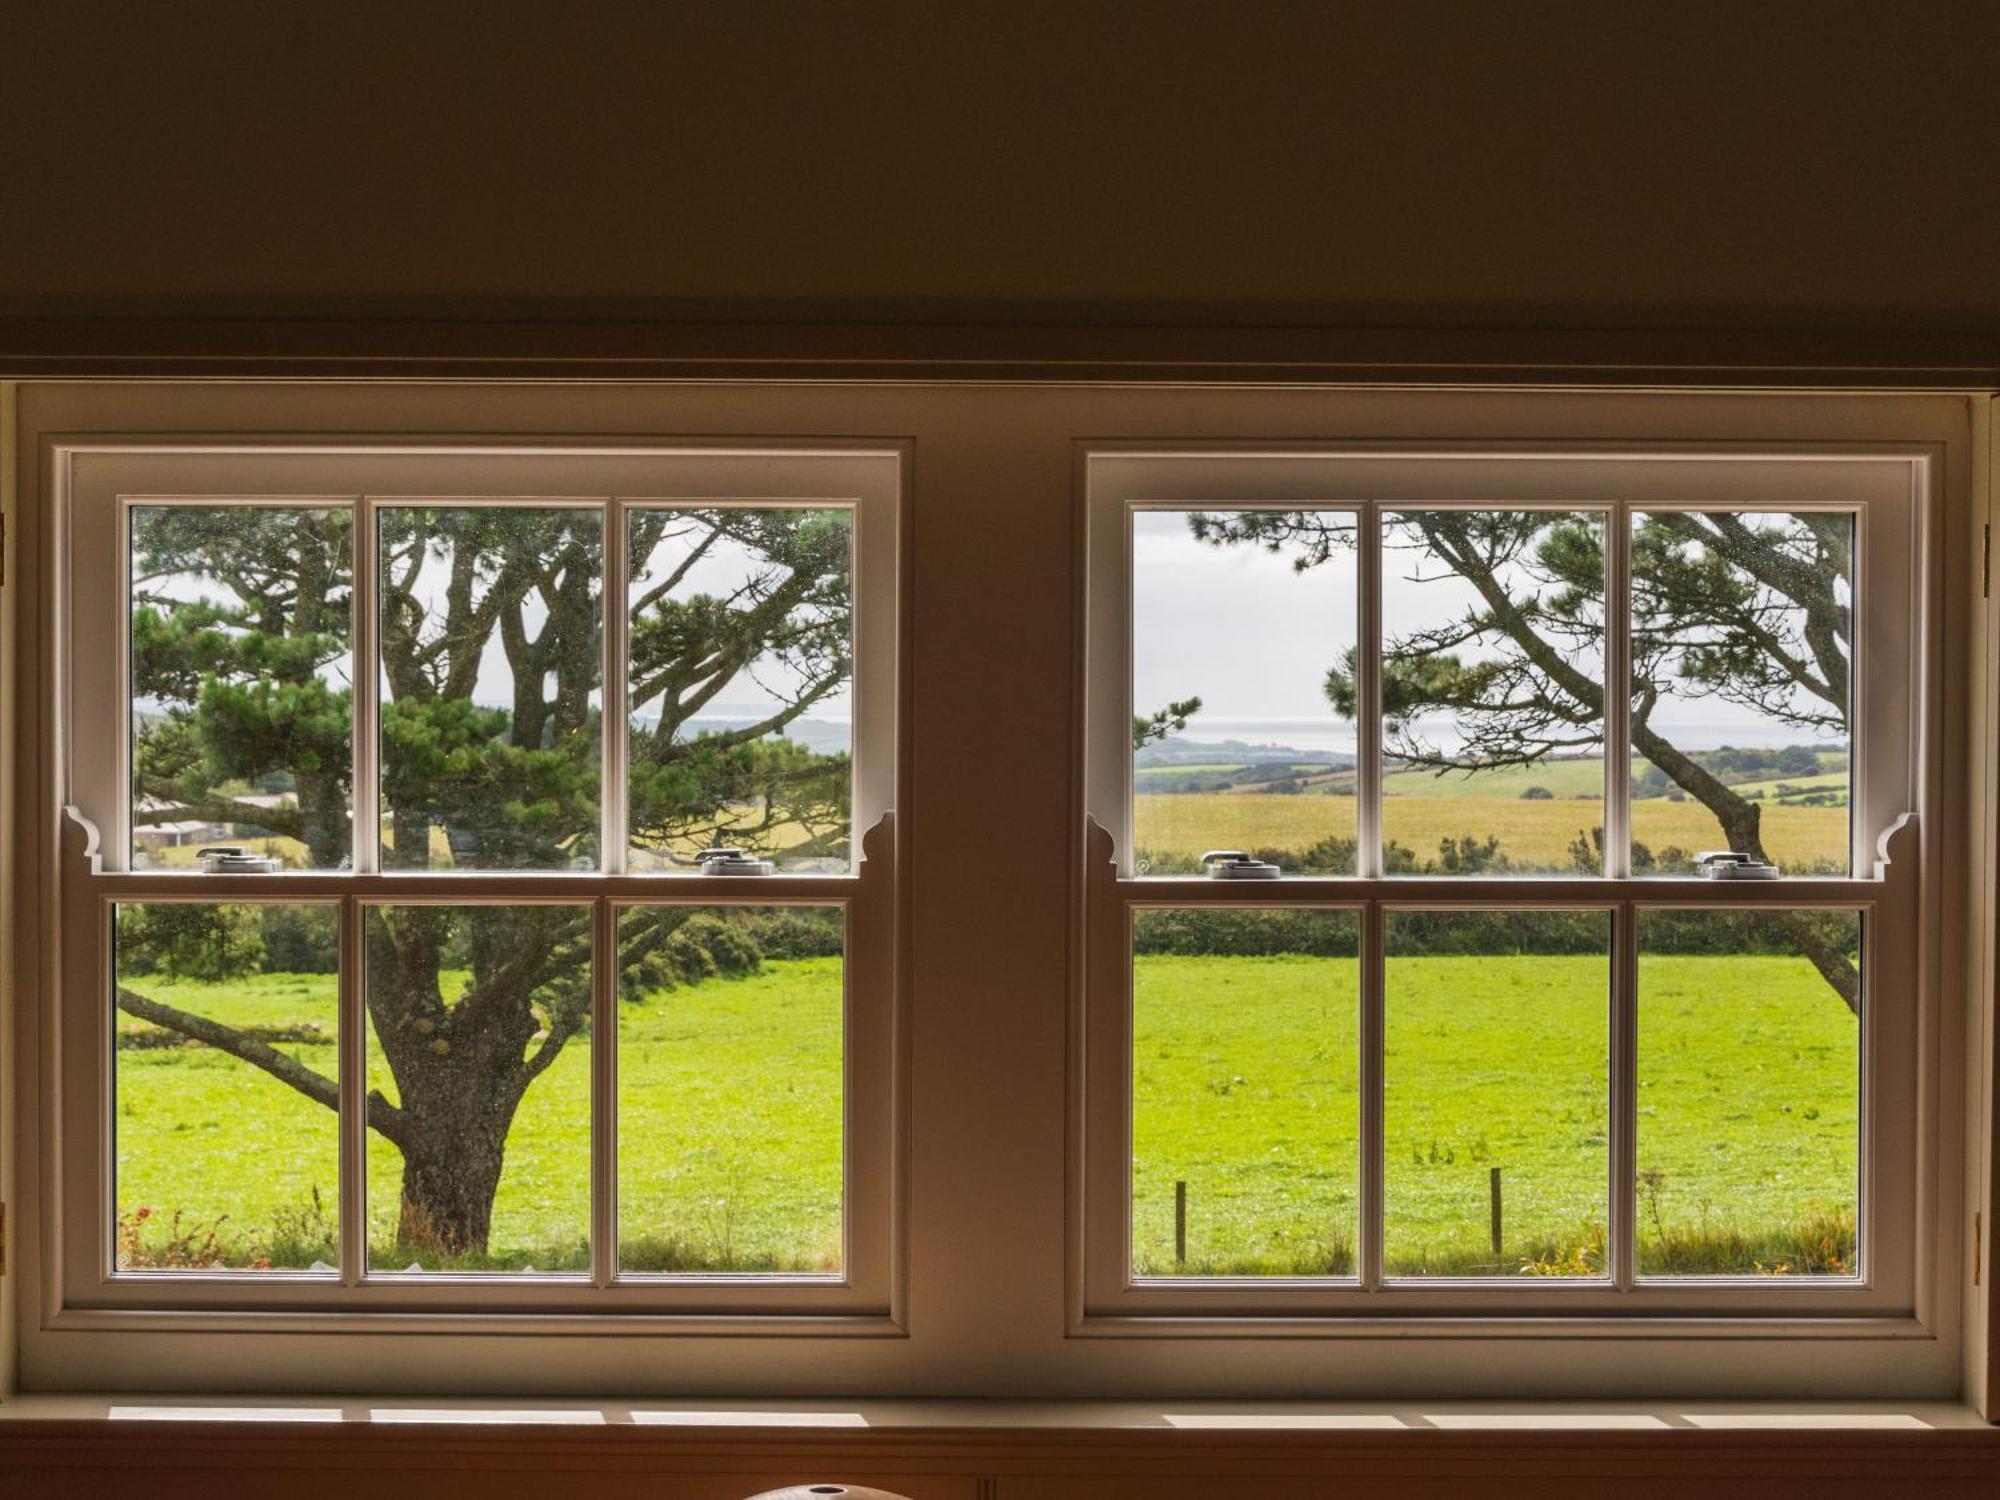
<point>1531,833</point>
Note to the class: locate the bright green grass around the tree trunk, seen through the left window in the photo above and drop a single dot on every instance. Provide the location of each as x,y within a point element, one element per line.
<point>729,1115</point>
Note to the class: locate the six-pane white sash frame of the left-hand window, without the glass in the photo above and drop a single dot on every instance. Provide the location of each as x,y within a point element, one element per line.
<point>97,485</point>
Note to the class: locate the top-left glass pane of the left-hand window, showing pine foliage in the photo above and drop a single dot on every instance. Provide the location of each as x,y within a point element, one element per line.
<point>241,683</point>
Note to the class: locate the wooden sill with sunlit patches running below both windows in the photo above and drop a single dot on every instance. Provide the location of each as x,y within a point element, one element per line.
<point>981,1451</point>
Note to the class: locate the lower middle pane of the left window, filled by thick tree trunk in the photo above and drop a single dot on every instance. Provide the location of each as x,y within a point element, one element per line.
<point>479,1045</point>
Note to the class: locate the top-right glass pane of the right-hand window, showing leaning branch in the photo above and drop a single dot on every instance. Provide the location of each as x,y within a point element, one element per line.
<point>1741,689</point>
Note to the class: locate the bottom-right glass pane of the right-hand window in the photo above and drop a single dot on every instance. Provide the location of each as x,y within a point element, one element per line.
<point>1749,1093</point>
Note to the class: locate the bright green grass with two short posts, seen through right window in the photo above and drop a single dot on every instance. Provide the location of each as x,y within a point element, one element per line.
<point>1245,1089</point>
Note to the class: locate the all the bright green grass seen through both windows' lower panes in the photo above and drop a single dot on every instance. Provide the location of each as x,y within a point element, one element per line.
<point>1245,1091</point>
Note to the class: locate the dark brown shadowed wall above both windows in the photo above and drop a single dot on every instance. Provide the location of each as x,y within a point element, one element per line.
<point>1427,163</point>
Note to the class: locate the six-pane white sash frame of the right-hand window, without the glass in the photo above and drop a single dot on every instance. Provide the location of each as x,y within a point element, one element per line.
<point>1893,491</point>
